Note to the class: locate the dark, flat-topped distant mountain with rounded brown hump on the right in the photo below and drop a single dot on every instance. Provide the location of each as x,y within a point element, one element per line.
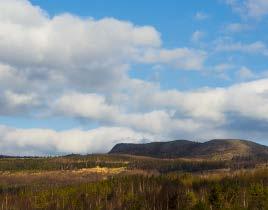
<point>216,149</point>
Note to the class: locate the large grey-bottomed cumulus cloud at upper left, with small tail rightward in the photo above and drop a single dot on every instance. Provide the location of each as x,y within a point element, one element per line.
<point>69,48</point>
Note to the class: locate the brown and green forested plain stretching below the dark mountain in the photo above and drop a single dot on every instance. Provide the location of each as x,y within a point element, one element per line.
<point>131,182</point>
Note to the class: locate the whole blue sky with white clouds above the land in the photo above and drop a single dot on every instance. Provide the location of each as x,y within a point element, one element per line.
<point>81,76</point>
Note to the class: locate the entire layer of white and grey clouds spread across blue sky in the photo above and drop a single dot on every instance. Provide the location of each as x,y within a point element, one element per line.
<point>78,68</point>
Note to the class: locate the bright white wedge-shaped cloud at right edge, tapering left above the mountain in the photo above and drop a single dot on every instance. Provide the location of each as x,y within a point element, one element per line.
<point>246,99</point>
